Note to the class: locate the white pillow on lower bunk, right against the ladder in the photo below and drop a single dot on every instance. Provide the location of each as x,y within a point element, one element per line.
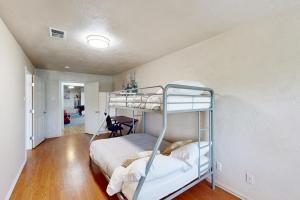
<point>190,152</point>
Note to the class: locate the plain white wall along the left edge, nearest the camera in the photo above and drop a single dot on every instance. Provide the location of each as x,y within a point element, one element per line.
<point>12,110</point>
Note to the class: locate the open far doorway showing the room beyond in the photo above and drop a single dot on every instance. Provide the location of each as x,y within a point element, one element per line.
<point>73,108</point>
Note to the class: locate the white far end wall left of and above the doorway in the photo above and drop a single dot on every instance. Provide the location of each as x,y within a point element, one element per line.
<point>53,79</point>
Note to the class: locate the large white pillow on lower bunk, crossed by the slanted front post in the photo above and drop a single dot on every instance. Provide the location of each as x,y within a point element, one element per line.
<point>161,166</point>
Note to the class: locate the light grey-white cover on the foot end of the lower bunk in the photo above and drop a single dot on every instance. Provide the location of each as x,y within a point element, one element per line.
<point>110,153</point>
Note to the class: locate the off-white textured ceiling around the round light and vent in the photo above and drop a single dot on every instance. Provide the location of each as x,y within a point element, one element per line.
<point>139,30</point>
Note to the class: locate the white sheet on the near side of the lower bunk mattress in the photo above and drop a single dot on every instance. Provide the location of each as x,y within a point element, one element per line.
<point>159,188</point>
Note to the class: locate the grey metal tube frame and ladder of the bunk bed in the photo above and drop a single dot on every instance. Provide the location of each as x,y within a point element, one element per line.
<point>165,112</point>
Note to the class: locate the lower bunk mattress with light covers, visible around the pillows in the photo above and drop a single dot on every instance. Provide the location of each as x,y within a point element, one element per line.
<point>110,153</point>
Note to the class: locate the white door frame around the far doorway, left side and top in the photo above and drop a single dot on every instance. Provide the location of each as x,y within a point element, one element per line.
<point>61,103</point>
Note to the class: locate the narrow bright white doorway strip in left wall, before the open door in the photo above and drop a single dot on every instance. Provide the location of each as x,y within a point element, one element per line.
<point>28,109</point>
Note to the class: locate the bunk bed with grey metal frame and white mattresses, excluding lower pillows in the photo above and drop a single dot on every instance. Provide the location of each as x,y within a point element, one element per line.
<point>173,98</point>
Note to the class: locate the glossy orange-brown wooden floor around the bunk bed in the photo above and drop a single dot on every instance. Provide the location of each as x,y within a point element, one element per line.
<point>59,169</point>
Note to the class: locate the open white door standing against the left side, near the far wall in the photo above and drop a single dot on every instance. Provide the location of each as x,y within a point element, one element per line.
<point>39,111</point>
